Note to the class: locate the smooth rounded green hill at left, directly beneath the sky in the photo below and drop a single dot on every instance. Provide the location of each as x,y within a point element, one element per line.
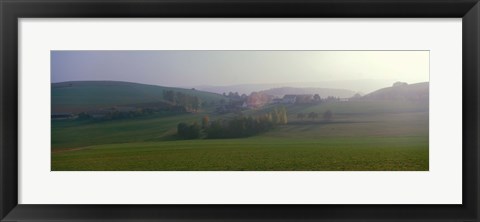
<point>78,96</point>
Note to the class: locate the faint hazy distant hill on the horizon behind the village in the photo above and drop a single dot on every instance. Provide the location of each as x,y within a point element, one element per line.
<point>322,92</point>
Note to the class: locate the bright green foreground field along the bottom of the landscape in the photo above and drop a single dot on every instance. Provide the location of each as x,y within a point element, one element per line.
<point>257,153</point>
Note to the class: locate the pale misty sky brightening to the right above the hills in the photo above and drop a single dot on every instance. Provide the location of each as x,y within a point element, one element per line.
<point>220,68</point>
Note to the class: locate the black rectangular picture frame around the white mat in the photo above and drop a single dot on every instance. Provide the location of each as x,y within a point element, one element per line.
<point>12,10</point>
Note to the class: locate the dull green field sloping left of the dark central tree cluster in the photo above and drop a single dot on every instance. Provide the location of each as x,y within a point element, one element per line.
<point>74,134</point>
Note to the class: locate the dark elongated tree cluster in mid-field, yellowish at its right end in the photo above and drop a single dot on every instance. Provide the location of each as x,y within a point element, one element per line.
<point>238,127</point>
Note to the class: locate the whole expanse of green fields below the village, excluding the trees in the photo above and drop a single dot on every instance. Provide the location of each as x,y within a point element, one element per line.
<point>362,136</point>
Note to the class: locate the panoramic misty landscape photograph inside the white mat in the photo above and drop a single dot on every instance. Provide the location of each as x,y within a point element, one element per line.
<point>247,110</point>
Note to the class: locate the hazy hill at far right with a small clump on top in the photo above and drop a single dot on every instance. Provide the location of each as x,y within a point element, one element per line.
<point>402,92</point>
